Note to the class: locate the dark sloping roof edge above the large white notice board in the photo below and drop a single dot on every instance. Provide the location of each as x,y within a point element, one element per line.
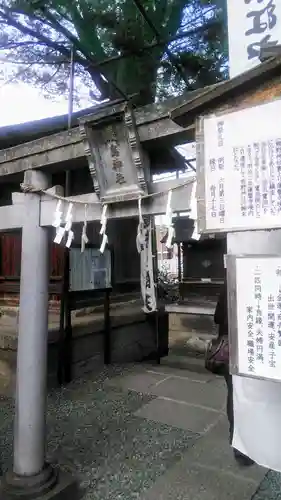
<point>185,113</point>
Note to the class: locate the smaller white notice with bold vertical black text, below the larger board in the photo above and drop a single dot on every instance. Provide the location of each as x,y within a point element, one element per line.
<point>258,309</point>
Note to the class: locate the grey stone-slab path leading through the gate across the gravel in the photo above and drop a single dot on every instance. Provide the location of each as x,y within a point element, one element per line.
<point>193,402</point>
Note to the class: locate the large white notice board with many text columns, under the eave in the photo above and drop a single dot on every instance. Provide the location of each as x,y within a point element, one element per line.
<point>239,173</point>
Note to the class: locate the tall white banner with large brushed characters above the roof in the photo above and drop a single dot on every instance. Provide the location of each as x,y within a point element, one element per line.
<point>251,24</point>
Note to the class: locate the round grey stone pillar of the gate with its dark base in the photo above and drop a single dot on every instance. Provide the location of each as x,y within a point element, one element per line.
<point>31,476</point>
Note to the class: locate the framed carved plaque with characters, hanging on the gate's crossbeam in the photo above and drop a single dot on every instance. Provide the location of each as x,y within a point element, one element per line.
<point>117,163</point>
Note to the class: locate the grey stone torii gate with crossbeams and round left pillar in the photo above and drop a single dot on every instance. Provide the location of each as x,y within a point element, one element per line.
<point>112,143</point>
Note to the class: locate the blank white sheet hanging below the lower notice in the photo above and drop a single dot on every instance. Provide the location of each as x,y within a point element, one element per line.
<point>257,414</point>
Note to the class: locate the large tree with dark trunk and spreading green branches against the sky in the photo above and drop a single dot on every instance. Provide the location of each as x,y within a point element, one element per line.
<point>101,30</point>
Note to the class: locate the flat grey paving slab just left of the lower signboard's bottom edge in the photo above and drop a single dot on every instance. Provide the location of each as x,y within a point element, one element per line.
<point>191,392</point>
